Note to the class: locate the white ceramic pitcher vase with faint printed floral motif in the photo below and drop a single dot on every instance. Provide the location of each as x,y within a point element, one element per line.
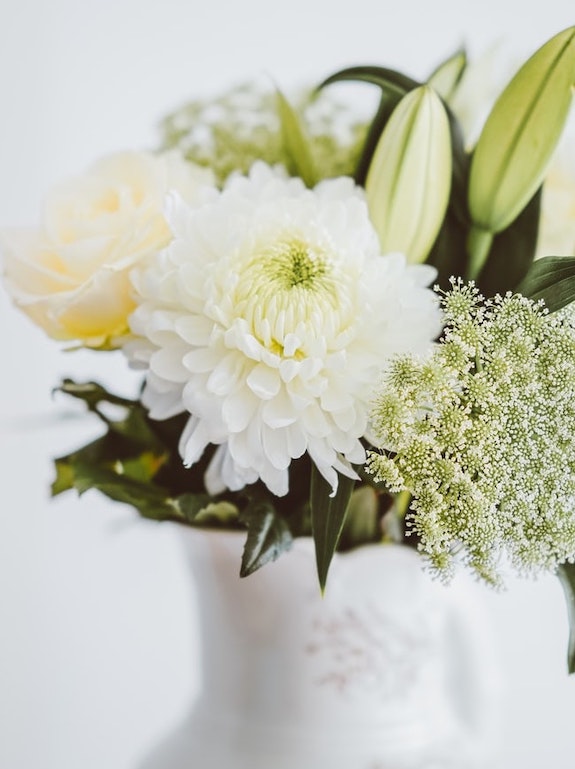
<point>389,670</point>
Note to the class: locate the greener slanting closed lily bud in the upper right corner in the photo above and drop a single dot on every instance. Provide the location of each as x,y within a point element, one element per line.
<point>520,135</point>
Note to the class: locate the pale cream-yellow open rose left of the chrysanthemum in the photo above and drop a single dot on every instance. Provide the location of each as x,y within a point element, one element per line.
<point>71,276</point>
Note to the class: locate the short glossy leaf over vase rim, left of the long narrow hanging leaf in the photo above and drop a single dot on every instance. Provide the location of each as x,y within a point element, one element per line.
<point>268,535</point>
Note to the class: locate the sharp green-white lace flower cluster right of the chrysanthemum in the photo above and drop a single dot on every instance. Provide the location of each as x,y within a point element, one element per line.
<point>481,434</point>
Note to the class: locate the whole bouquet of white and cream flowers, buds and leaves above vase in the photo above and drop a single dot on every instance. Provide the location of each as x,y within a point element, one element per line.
<point>343,330</point>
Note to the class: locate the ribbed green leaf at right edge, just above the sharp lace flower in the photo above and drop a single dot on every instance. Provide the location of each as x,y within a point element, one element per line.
<point>552,279</point>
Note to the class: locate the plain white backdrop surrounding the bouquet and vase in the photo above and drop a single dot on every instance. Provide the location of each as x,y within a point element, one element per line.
<point>96,637</point>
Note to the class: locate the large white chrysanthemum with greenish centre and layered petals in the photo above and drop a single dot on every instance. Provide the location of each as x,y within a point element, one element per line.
<point>269,318</point>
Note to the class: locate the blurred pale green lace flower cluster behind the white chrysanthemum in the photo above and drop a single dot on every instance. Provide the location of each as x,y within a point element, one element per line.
<point>229,133</point>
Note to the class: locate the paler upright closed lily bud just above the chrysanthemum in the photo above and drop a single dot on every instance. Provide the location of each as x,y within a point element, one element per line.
<point>409,179</point>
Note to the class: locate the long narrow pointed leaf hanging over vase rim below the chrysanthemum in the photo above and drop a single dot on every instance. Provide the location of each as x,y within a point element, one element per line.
<point>327,518</point>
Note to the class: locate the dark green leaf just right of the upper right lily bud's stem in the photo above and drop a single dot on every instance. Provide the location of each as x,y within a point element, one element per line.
<point>512,252</point>
